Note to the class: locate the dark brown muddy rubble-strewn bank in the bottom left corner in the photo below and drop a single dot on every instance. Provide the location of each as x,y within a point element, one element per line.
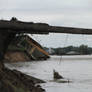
<point>16,81</point>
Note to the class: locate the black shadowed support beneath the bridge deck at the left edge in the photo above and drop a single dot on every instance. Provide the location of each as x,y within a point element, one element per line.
<point>5,39</point>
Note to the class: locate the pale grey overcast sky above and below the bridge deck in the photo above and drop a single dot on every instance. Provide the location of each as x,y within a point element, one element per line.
<point>76,13</point>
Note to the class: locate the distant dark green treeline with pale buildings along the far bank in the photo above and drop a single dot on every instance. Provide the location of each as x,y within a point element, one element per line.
<point>70,50</point>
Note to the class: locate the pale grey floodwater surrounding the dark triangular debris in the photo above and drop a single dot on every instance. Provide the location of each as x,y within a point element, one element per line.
<point>77,69</point>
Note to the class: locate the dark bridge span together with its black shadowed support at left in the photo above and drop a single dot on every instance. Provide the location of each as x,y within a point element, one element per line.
<point>9,29</point>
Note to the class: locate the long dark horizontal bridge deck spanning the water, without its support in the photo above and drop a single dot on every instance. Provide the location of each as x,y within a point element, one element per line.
<point>39,28</point>
